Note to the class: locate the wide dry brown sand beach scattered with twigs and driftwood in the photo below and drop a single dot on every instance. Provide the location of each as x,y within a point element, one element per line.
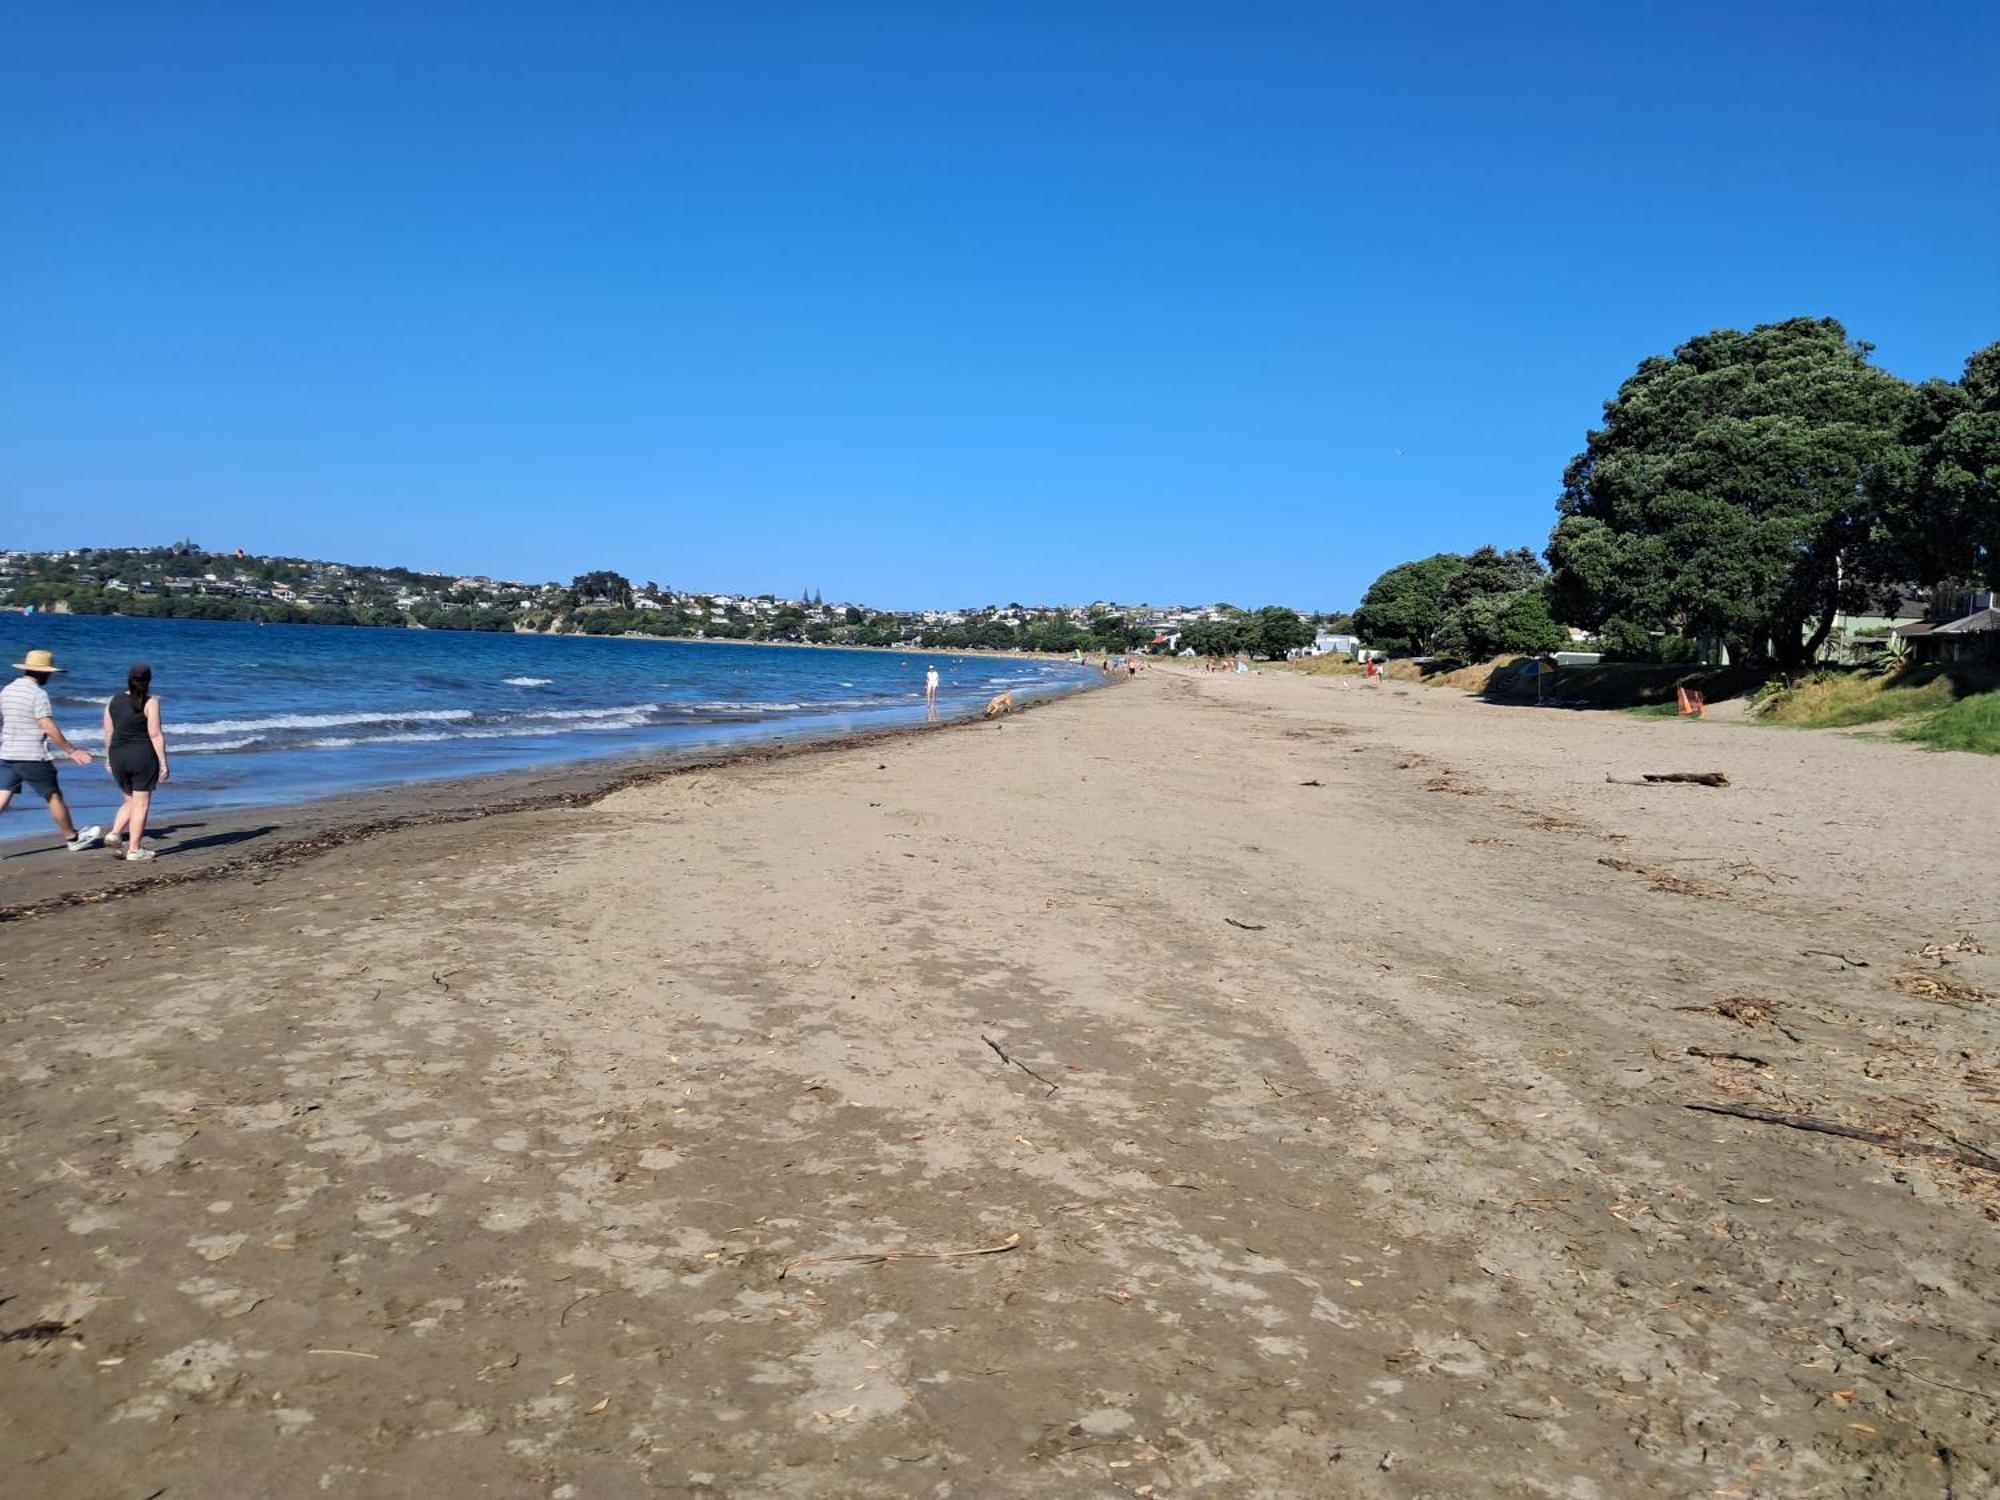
<point>1353,1159</point>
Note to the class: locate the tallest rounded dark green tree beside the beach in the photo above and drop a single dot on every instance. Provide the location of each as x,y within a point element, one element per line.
<point>1731,493</point>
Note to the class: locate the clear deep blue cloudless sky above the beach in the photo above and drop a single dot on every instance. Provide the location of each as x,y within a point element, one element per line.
<point>935,303</point>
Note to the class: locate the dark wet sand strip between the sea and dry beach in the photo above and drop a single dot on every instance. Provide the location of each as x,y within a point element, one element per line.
<point>279,835</point>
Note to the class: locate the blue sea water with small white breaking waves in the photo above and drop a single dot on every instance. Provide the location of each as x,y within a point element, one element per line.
<point>271,715</point>
